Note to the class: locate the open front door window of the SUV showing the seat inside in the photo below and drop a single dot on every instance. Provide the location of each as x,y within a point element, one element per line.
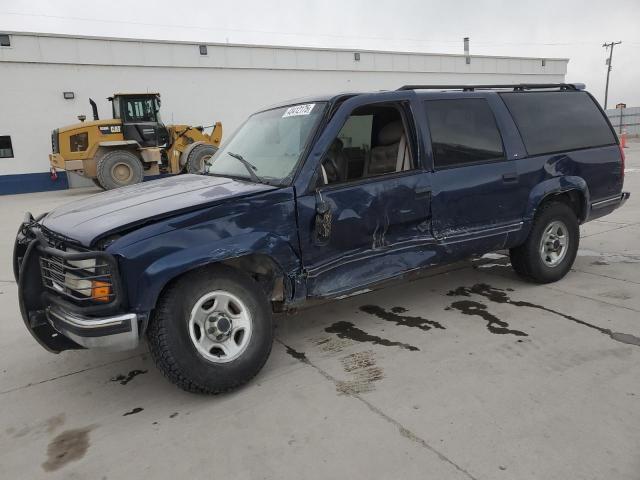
<point>372,142</point>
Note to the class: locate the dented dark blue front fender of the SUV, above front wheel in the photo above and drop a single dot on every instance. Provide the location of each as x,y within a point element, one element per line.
<point>155,255</point>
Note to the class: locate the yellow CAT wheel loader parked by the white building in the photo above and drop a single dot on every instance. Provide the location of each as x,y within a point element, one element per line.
<point>133,144</point>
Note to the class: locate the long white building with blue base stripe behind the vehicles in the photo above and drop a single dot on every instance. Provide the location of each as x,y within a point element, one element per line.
<point>199,84</point>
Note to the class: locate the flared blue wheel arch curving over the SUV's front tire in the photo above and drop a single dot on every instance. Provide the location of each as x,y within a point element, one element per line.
<point>147,285</point>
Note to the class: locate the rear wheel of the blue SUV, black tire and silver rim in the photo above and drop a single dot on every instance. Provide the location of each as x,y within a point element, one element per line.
<point>551,247</point>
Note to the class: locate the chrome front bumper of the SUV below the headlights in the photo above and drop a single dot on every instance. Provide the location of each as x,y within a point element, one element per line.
<point>119,332</point>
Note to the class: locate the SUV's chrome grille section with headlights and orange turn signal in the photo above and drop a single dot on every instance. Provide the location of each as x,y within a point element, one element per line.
<point>84,281</point>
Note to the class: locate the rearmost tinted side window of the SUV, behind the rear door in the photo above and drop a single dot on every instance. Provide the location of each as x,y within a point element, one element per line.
<point>552,122</point>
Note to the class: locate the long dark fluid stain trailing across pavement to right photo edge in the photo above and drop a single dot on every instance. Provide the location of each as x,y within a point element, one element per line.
<point>498,295</point>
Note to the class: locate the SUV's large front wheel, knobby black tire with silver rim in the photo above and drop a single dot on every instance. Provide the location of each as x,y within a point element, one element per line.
<point>212,331</point>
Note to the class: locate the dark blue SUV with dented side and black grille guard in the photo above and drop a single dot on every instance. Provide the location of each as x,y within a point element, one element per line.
<point>315,200</point>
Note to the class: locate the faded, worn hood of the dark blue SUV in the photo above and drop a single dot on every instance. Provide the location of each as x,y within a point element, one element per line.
<point>111,211</point>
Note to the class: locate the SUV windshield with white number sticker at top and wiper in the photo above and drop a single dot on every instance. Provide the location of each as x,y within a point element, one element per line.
<point>271,142</point>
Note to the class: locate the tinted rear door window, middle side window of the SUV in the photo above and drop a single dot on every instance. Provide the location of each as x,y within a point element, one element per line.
<point>463,131</point>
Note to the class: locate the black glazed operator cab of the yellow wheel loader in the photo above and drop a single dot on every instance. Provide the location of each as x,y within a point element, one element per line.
<point>140,117</point>
